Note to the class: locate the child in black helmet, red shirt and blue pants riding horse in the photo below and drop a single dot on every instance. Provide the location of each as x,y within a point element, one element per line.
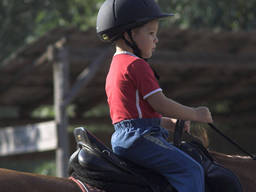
<point>140,112</point>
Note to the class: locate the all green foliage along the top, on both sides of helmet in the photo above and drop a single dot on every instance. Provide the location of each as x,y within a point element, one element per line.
<point>25,20</point>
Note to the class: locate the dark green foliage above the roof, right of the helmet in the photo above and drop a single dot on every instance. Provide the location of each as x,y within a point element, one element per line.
<point>219,14</point>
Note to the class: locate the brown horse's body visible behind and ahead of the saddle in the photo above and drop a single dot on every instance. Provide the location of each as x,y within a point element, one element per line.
<point>16,181</point>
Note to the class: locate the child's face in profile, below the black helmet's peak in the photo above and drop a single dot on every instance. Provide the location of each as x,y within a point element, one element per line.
<point>146,38</point>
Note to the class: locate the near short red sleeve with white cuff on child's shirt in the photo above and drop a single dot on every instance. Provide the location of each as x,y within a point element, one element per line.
<point>144,78</point>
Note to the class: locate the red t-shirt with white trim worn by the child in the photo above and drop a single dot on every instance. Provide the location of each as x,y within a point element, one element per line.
<point>130,81</point>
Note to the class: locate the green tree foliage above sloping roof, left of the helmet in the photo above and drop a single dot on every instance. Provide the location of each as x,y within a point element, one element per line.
<point>25,20</point>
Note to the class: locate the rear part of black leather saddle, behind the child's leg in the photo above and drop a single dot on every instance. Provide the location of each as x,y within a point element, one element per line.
<point>95,164</point>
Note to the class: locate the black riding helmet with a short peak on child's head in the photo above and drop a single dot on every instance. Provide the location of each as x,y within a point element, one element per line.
<point>118,16</point>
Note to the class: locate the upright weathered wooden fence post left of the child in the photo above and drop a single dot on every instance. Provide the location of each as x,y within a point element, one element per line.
<point>61,85</point>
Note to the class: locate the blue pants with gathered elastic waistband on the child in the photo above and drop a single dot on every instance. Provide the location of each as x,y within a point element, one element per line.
<point>143,142</point>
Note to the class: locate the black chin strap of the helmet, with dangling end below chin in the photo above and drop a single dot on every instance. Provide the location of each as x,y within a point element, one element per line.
<point>136,50</point>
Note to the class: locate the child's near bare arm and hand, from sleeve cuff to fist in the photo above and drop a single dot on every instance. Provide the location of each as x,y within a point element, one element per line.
<point>169,108</point>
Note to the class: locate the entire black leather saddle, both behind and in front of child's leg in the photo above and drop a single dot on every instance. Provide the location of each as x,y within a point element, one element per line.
<point>96,165</point>
